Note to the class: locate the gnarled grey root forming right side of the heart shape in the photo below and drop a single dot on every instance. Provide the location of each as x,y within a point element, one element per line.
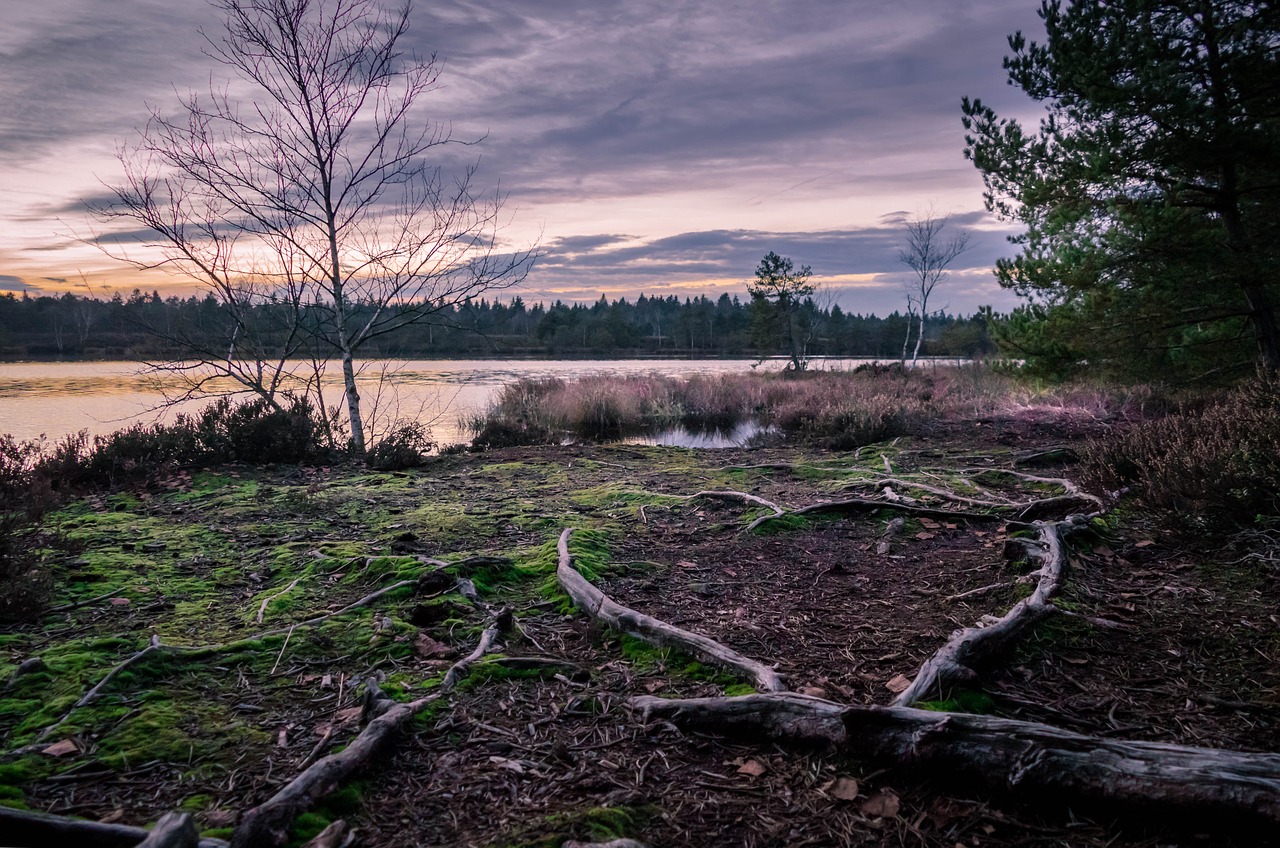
<point>971,649</point>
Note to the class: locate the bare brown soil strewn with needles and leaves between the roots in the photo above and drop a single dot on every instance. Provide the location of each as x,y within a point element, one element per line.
<point>1192,658</point>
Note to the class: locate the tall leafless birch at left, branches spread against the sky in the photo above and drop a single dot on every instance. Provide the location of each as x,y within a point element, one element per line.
<point>313,197</point>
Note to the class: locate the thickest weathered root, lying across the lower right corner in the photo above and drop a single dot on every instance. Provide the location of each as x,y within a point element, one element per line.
<point>1005,755</point>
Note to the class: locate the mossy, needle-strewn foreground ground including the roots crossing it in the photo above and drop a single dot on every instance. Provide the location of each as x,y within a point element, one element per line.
<point>935,642</point>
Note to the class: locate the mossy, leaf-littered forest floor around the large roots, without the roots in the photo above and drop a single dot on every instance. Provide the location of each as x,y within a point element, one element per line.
<point>541,750</point>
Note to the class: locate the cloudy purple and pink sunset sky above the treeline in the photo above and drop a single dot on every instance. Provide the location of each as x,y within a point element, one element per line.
<point>659,148</point>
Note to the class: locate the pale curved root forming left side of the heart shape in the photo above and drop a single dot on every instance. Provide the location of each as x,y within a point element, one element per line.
<point>601,608</point>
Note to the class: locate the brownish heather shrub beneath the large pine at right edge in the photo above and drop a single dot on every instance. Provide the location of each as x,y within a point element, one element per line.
<point>1210,466</point>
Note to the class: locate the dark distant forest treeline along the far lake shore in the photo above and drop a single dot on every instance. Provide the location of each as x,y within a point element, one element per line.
<point>145,326</point>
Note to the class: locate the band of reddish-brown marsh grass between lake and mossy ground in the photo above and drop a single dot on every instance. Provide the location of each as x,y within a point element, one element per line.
<point>835,409</point>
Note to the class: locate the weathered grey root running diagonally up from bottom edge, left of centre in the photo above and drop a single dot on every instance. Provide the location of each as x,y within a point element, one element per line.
<point>269,823</point>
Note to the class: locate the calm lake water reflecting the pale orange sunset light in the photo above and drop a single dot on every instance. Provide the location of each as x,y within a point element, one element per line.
<point>54,399</point>
